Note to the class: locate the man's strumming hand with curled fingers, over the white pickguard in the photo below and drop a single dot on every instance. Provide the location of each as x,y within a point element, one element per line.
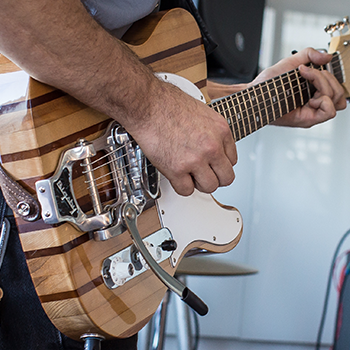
<point>188,142</point>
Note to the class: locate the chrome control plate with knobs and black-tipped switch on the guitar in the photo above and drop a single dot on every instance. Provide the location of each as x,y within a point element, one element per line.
<point>129,263</point>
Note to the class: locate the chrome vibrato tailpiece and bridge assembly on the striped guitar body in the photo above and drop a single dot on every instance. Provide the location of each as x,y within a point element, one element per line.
<point>132,176</point>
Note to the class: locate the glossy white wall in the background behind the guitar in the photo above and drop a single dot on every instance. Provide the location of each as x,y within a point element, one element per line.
<point>293,190</point>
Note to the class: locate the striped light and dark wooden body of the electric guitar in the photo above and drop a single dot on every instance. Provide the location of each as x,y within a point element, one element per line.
<point>38,123</point>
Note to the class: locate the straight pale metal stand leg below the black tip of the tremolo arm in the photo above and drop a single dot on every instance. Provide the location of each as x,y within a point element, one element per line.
<point>183,323</point>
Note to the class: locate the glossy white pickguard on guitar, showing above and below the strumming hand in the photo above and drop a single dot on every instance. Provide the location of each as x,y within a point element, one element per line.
<point>197,217</point>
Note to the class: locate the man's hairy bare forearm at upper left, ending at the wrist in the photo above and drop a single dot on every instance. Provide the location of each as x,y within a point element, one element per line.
<point>57,42</point>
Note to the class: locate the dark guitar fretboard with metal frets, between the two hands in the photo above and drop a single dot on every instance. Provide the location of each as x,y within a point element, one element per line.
<point>251,109</point>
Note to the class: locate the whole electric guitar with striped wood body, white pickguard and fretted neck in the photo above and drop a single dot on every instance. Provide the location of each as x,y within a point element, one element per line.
<point>85,169</point>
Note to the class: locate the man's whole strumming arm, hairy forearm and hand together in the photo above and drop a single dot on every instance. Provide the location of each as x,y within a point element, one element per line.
<point>58,43</point>
